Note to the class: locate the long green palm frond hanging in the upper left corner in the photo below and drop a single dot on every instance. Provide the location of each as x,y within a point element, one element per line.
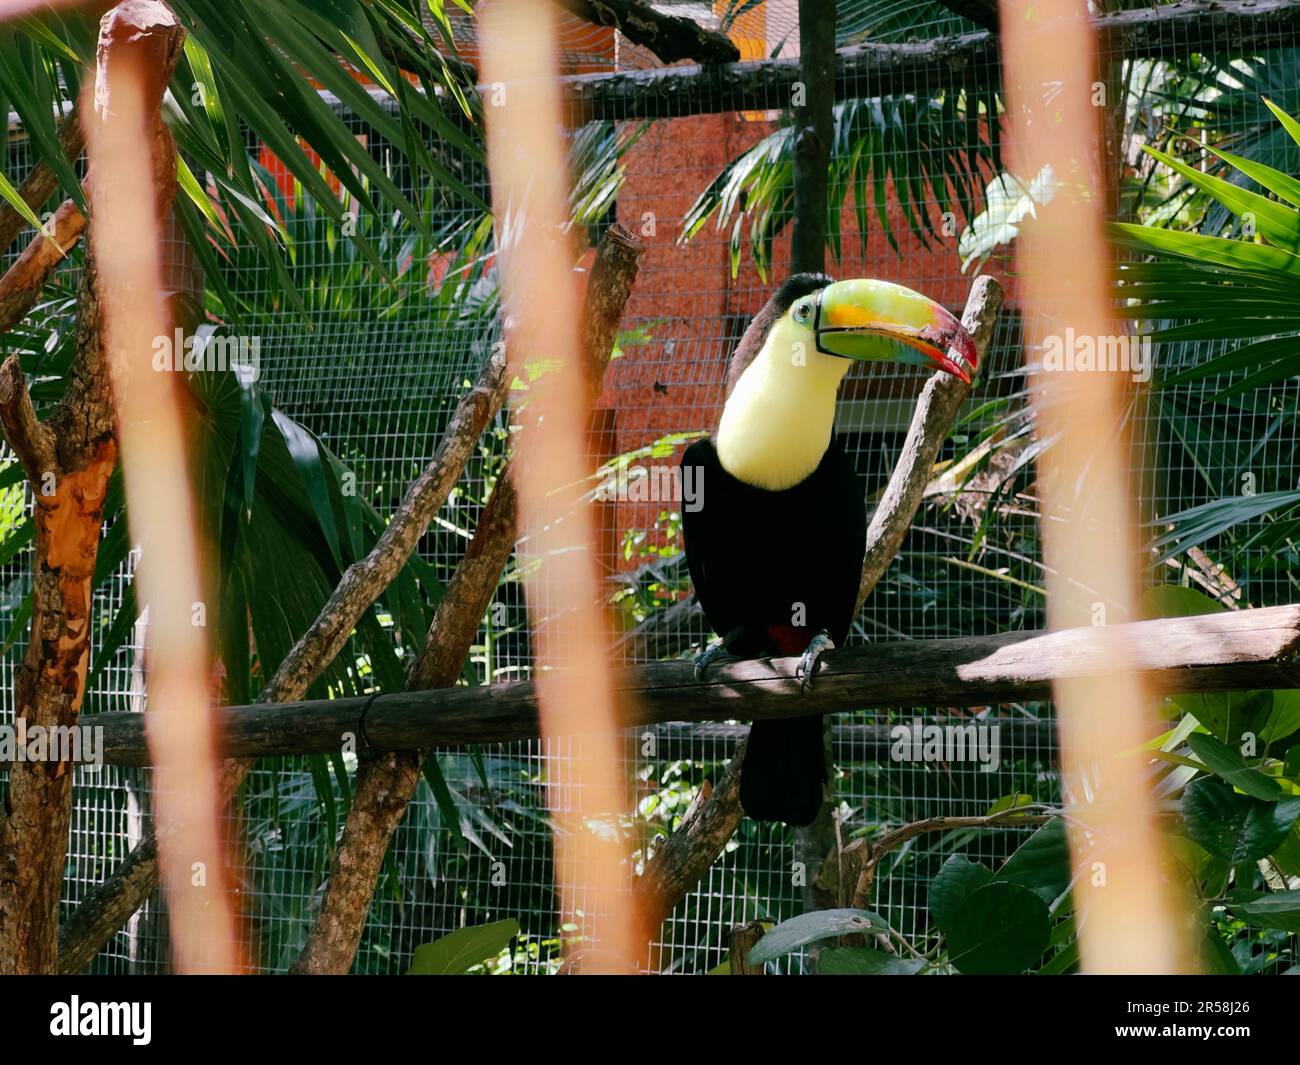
<point>279,75</point>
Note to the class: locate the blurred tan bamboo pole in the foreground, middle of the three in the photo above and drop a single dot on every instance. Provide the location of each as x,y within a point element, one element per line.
<point>573,644</point>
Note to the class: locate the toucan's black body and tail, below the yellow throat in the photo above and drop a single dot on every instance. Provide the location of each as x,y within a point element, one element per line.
<point>781,566</point>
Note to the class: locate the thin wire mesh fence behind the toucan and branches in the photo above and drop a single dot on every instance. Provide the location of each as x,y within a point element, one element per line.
<point>378,384</point>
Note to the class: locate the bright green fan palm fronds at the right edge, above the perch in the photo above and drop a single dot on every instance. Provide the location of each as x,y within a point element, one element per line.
<point>1193,288</point>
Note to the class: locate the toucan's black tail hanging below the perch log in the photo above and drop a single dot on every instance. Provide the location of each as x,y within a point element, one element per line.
<point>785,772</point>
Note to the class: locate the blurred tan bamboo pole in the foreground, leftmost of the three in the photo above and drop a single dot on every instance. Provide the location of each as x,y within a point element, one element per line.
<point>132,157</point>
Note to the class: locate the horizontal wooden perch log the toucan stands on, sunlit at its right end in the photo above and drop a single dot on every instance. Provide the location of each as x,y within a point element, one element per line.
<point>1215,653</point>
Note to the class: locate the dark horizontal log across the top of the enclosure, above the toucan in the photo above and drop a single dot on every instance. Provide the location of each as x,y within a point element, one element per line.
<point>873,70</point>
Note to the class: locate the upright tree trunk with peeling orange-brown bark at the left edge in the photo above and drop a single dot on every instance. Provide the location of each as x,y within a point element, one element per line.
<point>70,460</point>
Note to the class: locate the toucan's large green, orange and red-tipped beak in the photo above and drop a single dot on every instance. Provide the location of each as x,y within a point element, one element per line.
<point>853,318</point>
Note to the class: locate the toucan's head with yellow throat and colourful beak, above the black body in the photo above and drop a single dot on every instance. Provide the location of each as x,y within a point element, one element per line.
<point>779,418</point>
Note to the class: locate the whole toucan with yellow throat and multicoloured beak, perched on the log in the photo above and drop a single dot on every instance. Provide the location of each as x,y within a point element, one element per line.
<point>777,536</point>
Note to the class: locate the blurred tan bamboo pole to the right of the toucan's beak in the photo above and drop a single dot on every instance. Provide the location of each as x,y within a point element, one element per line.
<point>1130,917</point>
